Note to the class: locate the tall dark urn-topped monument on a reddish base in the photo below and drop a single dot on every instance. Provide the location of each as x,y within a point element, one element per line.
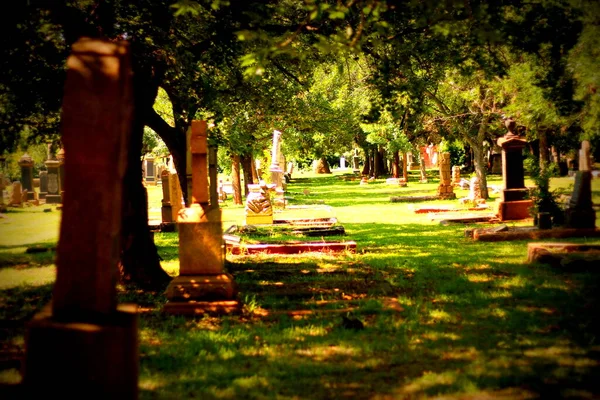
<point>512,204</point>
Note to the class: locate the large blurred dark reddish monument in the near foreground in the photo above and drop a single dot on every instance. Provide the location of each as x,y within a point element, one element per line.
<point>85,344</point>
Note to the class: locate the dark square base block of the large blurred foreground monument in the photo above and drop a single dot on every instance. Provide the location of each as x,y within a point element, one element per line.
<point>71,360</point>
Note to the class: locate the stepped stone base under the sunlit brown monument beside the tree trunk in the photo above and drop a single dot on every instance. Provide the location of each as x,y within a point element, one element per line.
<point>198,294</point>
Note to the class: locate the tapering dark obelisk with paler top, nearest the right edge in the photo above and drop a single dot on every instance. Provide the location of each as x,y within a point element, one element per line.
<point>580,212</point>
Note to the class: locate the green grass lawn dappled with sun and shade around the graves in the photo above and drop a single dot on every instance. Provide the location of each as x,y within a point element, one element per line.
<point>443,316</point>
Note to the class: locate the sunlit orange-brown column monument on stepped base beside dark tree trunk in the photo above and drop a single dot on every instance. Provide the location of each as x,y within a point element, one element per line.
<point>202,284</point>
